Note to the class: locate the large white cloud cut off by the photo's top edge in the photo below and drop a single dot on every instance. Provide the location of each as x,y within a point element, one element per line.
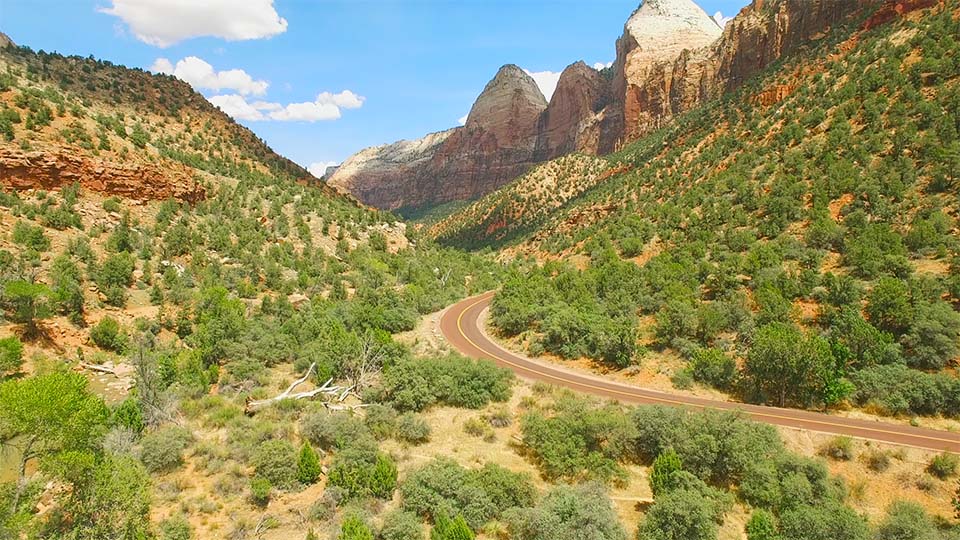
<point>165,22</point>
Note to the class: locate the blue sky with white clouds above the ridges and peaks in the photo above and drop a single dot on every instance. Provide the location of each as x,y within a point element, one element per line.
<point>321,79</point>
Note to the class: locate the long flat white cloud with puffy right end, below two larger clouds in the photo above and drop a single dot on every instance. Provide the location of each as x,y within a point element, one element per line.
<point>325,107</point>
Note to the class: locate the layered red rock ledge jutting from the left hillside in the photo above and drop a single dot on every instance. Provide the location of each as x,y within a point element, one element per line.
<point>137,181</point>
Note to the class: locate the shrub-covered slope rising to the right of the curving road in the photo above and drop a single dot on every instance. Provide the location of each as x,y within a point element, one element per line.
<point>816,200</point>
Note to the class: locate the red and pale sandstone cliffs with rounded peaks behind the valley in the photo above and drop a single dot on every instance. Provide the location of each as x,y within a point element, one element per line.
<point>671,57</point>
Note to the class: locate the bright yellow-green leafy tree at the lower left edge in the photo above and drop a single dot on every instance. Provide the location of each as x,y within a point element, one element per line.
<point>48,414</point>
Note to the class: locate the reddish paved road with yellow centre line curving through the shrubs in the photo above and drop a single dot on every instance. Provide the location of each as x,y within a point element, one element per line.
<point>461,327</point>
